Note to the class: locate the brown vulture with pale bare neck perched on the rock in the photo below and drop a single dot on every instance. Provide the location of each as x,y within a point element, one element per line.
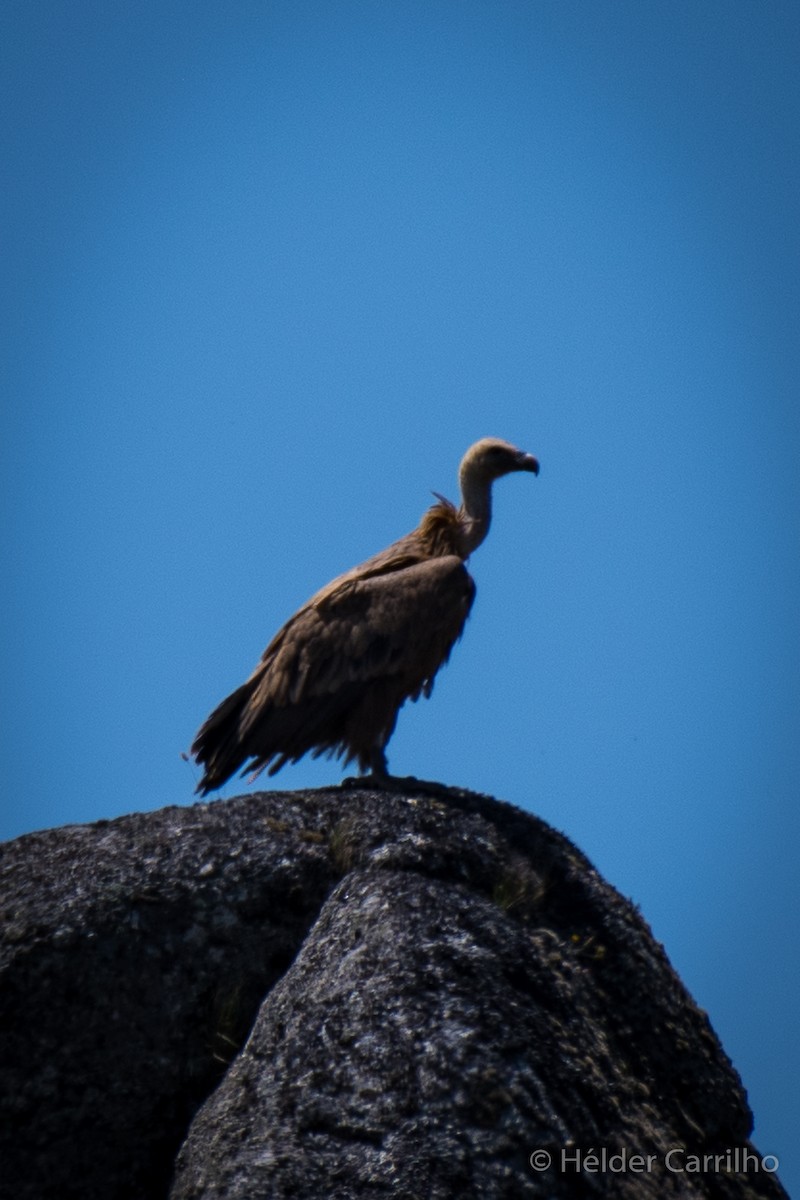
<point>335,677</point>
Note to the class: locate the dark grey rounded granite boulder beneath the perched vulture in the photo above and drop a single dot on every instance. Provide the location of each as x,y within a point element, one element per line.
<point>424,991</point>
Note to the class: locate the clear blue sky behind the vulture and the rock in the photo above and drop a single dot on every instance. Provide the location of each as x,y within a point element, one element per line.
<point>270,268</point>
